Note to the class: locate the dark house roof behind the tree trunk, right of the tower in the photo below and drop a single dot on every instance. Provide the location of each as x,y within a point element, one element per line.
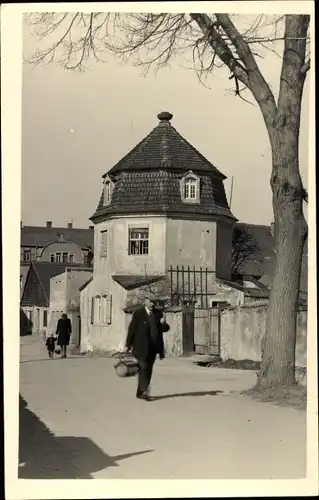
<point>261,261</point>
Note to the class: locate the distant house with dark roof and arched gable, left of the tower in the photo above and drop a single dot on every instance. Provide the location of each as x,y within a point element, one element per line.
<point>67,245</point>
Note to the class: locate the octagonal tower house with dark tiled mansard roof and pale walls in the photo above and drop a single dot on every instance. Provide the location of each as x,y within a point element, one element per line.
<point>163,205</point>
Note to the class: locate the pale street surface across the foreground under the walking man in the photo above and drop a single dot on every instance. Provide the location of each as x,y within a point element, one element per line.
<point>79,420</point>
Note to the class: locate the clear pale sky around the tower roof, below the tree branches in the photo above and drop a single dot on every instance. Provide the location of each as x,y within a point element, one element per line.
<point>77,125</point>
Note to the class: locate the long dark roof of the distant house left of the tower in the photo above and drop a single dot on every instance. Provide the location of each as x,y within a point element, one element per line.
<point>37,236</point>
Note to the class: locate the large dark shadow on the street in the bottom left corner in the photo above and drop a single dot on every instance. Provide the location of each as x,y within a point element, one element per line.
<point>42,455</point>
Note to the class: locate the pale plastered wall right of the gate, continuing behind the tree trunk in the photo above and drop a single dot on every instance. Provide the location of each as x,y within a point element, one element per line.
<point>242,330</point>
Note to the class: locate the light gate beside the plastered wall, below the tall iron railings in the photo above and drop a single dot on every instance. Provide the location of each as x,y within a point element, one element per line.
<point>207,331</point>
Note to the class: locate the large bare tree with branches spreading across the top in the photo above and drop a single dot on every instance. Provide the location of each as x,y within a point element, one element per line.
<point>215,41</point>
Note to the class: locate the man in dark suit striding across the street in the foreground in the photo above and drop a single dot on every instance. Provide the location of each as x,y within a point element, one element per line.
<point>145,339</point>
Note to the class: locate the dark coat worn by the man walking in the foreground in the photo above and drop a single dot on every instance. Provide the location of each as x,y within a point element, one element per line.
<point>139,335</point>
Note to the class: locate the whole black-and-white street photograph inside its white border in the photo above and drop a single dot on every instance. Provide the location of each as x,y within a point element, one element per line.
<point>164,245</point>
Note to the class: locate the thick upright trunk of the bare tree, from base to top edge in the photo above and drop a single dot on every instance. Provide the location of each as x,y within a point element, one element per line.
<point>279,342</point>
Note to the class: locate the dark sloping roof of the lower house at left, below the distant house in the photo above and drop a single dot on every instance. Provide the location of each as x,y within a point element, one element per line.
<point>37,286</point>
